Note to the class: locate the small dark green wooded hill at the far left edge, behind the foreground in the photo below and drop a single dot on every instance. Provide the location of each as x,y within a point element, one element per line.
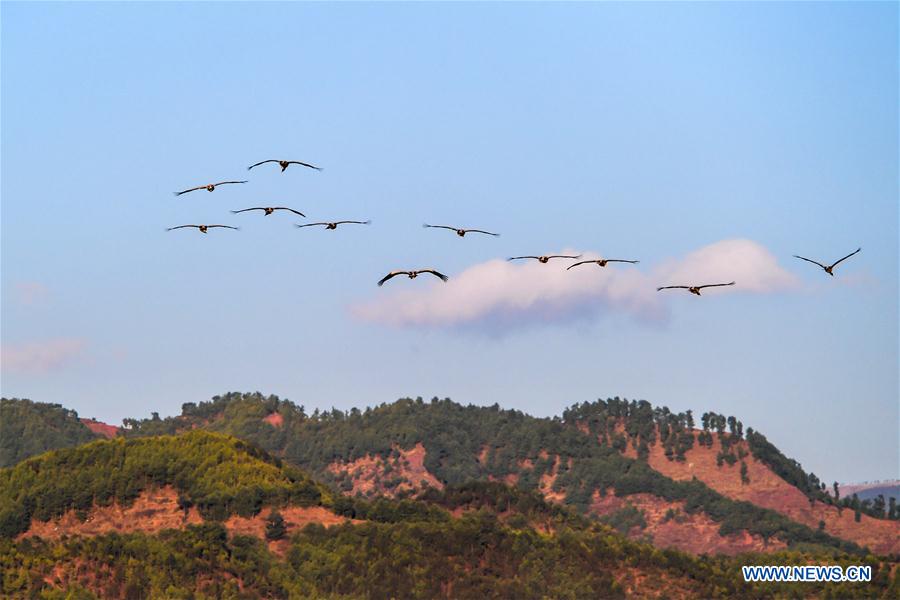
<point>28,428</point>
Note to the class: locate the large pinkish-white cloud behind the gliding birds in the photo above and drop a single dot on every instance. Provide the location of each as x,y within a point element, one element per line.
<point>502,295</point>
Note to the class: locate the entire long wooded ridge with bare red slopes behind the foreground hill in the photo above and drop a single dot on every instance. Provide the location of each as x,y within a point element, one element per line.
<point>595,451</point>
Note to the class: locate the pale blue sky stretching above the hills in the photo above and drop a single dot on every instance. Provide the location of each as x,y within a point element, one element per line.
<point>644,131</point>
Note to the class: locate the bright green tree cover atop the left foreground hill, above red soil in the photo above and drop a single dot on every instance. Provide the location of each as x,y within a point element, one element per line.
<point>218,474</point>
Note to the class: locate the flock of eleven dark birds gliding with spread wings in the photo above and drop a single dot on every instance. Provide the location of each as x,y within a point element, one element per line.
<point>461,232</point>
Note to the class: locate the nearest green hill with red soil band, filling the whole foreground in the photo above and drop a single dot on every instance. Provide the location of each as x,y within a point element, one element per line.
<point>203,514</point>
